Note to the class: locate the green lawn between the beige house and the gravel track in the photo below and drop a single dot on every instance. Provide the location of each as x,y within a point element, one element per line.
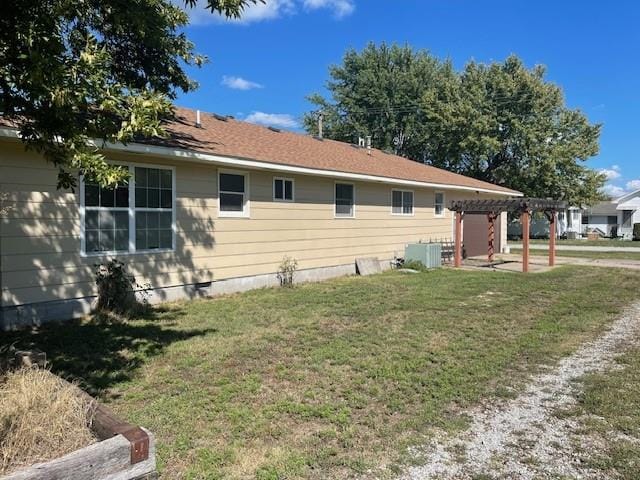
<point>330,380</point>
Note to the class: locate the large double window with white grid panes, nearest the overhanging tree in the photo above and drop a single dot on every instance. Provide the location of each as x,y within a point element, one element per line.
<point>137,217</point>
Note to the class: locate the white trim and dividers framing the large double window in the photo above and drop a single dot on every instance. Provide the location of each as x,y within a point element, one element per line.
<point>131,209</point>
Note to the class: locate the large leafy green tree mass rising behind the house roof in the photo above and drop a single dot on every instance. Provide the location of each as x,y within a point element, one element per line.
<point>502,122</point>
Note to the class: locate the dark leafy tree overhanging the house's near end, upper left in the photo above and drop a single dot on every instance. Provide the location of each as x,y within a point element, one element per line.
<point>74,71</point>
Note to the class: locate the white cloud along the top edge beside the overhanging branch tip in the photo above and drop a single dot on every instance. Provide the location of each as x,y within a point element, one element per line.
<point>269,10</point>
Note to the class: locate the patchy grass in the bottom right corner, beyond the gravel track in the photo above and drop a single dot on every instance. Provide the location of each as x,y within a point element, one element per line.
<point>611,403</point>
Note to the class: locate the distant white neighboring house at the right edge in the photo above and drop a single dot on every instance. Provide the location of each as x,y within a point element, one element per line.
<point>619,214</point>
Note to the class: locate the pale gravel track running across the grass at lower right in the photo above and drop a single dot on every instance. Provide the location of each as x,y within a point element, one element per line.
<point>525,438</point>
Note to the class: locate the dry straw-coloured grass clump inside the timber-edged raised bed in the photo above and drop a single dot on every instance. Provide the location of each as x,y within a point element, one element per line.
<point>42,417</point>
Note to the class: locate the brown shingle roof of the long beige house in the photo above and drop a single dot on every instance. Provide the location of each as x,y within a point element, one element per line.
<point>233,138</point>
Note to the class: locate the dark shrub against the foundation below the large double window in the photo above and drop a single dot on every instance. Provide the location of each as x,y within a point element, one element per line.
<point>117,289</point>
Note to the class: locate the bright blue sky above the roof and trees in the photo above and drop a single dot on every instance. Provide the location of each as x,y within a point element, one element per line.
<point>261,68</point>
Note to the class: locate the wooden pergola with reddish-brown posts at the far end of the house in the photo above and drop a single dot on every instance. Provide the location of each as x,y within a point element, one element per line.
<point>492,209</point>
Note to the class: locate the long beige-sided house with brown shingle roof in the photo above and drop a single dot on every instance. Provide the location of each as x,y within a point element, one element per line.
<point>213,209</point>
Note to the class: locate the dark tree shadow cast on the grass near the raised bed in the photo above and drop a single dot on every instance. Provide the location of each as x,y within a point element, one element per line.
<point>100,353</point>
